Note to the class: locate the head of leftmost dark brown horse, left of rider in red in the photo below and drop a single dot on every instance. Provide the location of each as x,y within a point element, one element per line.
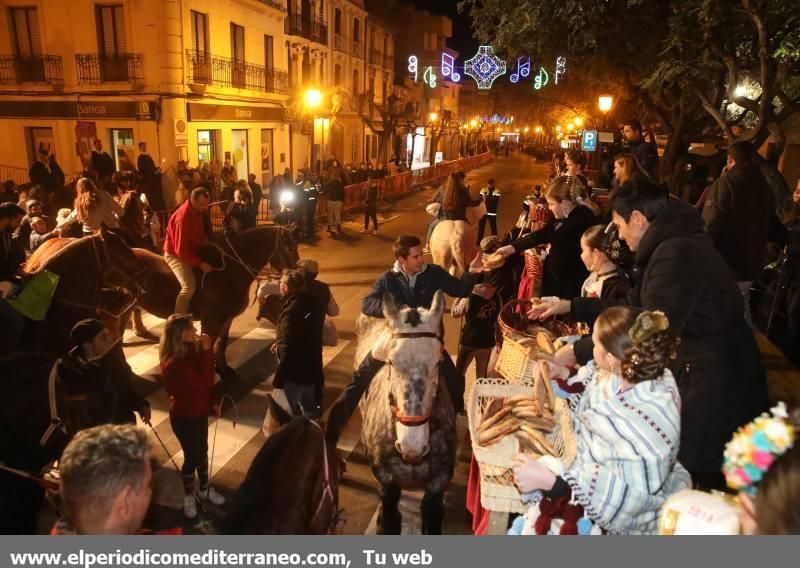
<point>118,264</point>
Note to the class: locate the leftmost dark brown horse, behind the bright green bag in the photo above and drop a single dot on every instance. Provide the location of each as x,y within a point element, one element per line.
<point>95,273</point>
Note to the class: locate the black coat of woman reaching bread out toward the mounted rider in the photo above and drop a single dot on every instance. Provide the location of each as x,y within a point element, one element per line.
<point>563,271</point>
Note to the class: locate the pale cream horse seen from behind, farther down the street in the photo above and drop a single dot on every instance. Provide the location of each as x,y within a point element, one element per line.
<point>453,243</point>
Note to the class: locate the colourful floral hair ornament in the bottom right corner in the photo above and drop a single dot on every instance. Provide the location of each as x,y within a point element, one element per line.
<point>755,447</point>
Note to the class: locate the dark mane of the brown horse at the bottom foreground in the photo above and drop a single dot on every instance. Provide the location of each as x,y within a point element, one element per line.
<point>261,475</point>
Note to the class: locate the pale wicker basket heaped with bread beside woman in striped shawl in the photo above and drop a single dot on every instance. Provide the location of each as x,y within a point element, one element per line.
<point>508,418</point>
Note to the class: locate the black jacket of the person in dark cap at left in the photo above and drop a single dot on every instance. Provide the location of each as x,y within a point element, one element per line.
<point>107,381</point>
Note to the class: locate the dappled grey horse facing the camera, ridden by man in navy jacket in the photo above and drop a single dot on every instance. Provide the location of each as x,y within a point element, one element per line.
<point>408,429</point>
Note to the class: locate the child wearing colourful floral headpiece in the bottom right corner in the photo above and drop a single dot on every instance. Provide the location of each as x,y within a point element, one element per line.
<point>762,462</point>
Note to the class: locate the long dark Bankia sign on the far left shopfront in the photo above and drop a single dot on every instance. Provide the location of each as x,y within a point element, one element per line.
<point>82,110</point>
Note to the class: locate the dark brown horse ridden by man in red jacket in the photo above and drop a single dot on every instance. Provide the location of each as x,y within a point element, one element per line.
<point>223,293</point>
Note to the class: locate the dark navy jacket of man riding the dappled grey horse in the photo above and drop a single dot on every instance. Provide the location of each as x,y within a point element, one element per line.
<point>432,279</point>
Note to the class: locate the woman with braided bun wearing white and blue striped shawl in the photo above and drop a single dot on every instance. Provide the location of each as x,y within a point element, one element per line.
<point>627,432</point>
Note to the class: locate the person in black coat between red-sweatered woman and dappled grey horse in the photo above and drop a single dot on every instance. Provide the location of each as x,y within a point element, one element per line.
<point>298,346</point>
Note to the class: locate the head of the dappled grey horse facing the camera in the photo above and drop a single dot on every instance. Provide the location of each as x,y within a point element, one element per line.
<point>414,356</point>
